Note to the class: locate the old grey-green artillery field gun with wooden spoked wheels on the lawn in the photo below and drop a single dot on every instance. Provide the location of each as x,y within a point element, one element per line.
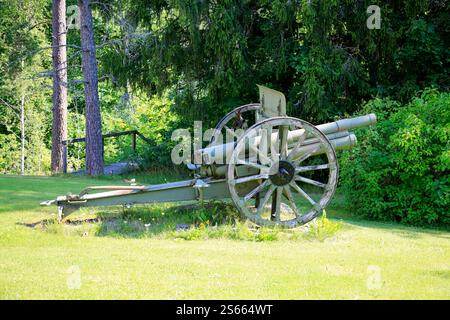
<point>279,171</point>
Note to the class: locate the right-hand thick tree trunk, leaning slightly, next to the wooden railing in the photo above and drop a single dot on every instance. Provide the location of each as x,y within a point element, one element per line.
<point>94,140</point>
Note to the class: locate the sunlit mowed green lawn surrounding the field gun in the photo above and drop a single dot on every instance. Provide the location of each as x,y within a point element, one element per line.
<point>365,260</point>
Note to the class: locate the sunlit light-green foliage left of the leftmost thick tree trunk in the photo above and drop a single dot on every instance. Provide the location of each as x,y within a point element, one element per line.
<point>21,63</point>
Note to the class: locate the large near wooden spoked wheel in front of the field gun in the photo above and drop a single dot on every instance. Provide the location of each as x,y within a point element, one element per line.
<point>282,172</point>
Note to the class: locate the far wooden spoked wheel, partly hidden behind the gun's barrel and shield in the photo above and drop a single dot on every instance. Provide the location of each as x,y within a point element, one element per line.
<point>234,123</point>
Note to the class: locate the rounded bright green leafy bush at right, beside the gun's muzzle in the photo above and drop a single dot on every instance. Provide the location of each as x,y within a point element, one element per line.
<point>400,168</point>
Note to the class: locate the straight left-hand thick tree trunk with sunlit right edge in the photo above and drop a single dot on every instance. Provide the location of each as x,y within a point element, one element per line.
<point>59,44</point>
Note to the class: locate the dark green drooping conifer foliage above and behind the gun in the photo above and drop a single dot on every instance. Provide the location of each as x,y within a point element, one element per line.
<point>210,54</point>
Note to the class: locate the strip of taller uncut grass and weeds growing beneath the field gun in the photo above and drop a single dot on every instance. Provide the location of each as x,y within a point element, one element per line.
<point>214,220</point>
